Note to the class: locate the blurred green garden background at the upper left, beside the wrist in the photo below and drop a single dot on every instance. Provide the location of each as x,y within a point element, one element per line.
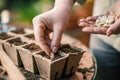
<point>23,11</point>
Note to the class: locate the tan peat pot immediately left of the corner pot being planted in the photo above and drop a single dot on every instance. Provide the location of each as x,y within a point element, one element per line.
<point>26,55</point>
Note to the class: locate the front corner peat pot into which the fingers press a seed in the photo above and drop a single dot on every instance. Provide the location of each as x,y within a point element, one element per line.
<point>50,69</point>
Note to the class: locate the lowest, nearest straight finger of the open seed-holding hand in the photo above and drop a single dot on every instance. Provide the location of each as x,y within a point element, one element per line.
<point>95,30</point>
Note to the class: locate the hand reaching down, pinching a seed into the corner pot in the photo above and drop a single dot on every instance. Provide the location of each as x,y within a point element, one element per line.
<point>52,21</point>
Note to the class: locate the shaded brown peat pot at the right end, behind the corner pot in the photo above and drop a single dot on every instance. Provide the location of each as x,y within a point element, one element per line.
<point>72,63</point>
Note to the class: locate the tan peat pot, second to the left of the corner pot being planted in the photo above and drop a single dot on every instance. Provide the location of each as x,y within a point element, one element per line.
<point>11,47</point>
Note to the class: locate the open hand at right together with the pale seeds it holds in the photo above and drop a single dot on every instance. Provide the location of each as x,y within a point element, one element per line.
<point>108,23</point>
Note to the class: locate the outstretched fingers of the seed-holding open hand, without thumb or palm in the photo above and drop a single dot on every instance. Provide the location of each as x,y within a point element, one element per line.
<point>89,26</point>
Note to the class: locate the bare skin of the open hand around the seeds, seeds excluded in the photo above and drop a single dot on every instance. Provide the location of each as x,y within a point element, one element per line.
<point>88,23</point>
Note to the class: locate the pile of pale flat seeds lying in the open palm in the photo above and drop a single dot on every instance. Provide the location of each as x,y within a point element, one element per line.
<point>105,21</point>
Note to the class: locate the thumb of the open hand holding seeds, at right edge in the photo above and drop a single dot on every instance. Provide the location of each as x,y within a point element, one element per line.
<point>114,28</point>
